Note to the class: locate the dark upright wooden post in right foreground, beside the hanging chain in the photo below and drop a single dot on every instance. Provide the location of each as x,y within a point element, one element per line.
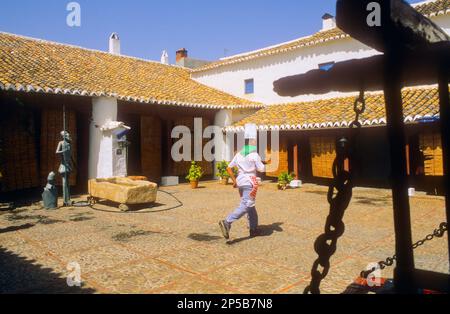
<point>404,270</point>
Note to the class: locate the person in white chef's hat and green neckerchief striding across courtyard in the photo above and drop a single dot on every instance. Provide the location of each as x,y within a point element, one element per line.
<point>248,163</point>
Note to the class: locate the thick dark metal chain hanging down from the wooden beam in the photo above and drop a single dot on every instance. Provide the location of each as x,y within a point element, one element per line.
<point>339,196</point>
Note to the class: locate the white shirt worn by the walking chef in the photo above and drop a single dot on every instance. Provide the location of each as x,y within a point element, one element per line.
<point>247,166</point>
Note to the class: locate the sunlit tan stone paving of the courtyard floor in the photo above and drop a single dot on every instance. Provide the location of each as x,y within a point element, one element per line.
<point>181,250</point>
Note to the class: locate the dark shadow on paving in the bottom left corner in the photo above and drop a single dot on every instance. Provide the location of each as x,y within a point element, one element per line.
<point>20,275</point>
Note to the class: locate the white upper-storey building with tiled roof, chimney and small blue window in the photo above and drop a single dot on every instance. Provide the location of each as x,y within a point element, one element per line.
<point>260,68</point>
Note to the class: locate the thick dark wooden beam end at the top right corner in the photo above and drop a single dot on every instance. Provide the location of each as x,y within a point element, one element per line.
<point>400,24</point>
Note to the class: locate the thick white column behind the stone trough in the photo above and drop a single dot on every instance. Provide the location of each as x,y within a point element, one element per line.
<point>101,156</point>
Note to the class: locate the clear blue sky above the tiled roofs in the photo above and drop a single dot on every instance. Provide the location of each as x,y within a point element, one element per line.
<point>209,29</point>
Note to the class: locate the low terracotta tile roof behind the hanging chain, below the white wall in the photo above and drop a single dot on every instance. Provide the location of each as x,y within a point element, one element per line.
<point>420,103</point>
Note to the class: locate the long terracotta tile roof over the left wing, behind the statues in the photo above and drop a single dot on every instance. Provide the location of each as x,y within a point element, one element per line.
<point>32,65</point>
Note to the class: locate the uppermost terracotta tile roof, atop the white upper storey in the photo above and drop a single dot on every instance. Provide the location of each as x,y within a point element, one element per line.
<point>429,9</point>
